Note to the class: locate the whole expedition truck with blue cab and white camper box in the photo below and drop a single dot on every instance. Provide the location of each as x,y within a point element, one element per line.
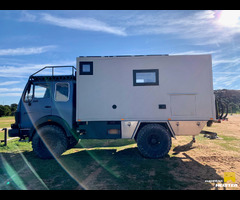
<point>149,98</point>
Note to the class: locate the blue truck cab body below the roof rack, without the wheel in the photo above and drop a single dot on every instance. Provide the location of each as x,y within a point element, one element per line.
<point>45,97</point>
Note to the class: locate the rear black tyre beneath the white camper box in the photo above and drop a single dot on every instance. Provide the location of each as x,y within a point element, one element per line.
<point>154,141</point>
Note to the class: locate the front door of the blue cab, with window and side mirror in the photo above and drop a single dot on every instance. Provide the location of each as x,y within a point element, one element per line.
<point>37,103</point>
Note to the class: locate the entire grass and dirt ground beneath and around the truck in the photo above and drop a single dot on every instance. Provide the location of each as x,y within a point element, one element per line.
<point>117,164</point>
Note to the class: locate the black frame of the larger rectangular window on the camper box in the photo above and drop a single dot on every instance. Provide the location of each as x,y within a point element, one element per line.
<point>156,71</point>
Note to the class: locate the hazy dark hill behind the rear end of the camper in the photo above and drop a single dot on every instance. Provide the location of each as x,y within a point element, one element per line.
<point>232,97</point>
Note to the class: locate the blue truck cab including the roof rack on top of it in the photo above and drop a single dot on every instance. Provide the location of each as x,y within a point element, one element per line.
<point>47,102</point>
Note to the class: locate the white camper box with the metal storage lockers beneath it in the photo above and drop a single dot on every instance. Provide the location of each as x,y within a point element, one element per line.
<point>173,90</point>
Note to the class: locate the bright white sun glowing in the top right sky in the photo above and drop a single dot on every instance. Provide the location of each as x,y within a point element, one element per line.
<point>229,18</point>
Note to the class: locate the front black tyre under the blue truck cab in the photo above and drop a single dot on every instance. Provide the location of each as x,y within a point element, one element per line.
<point>49,141</point>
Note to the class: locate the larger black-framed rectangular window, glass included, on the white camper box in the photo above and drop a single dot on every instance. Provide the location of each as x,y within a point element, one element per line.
<point>145,77</point>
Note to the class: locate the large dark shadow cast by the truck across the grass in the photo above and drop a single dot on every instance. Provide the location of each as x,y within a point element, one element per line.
<point>101,169</point>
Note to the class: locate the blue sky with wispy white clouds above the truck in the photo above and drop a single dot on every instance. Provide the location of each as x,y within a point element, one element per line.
<point>32,39</point>
